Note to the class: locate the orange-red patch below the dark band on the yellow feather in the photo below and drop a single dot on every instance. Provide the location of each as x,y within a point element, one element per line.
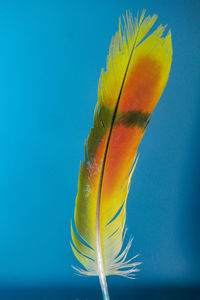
<point>120,157</point>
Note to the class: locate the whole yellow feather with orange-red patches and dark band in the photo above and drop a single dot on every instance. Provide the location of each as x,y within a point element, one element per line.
<point>137,71</point>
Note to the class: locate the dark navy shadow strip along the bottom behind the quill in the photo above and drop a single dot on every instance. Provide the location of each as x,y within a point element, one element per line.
<point>90,293</point>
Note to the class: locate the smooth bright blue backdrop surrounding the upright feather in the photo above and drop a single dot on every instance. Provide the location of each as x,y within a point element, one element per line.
<point>51,55</point>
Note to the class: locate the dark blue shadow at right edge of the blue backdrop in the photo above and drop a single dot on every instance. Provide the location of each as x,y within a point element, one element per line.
<point>191,225</point>
